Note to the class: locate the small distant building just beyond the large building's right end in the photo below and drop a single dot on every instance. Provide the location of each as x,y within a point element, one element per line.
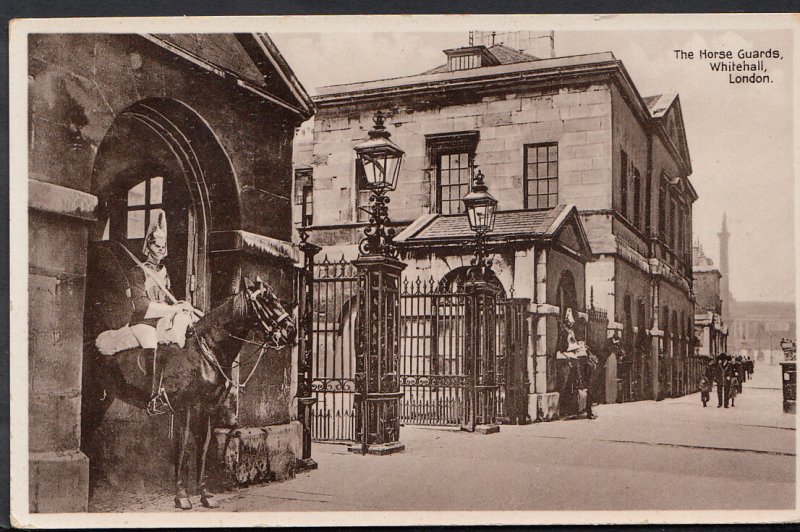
<point>711,331</point>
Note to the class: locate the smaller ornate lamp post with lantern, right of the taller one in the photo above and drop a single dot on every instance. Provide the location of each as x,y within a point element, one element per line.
<point>480,315</point>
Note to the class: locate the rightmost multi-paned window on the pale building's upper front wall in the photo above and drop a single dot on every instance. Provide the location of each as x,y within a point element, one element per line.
<point>541,175</point>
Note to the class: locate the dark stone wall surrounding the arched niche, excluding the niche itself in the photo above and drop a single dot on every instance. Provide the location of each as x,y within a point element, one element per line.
<point>79,86</point>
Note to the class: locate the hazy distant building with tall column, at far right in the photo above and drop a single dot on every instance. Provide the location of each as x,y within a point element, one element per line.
<point>756,328</point>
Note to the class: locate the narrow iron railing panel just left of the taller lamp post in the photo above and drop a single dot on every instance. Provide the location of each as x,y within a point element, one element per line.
<point>335,303</point>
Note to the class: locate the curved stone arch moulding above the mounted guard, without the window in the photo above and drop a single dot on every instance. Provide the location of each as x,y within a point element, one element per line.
<point>166,138</point>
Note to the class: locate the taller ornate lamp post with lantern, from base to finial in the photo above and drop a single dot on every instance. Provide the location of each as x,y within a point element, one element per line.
<point>377,397</point>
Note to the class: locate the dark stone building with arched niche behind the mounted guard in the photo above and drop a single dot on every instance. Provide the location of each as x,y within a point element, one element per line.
<point>203,125</point>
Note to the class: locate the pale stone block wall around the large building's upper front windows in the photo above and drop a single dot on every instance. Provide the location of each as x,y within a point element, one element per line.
<point>578,118</point>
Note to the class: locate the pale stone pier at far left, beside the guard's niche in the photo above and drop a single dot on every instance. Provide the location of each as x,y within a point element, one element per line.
<point>58,239</point>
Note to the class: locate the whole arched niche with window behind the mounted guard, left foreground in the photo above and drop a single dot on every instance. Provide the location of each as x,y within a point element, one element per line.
<point>158,154</point>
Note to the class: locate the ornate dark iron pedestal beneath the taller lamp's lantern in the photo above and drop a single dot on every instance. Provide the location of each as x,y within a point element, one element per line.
<point>377,398</point>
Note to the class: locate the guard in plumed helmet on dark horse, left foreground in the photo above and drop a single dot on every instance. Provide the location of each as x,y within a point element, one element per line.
<point>130,312</point>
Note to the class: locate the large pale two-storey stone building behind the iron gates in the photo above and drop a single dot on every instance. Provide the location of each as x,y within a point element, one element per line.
<point>544,132</point>
